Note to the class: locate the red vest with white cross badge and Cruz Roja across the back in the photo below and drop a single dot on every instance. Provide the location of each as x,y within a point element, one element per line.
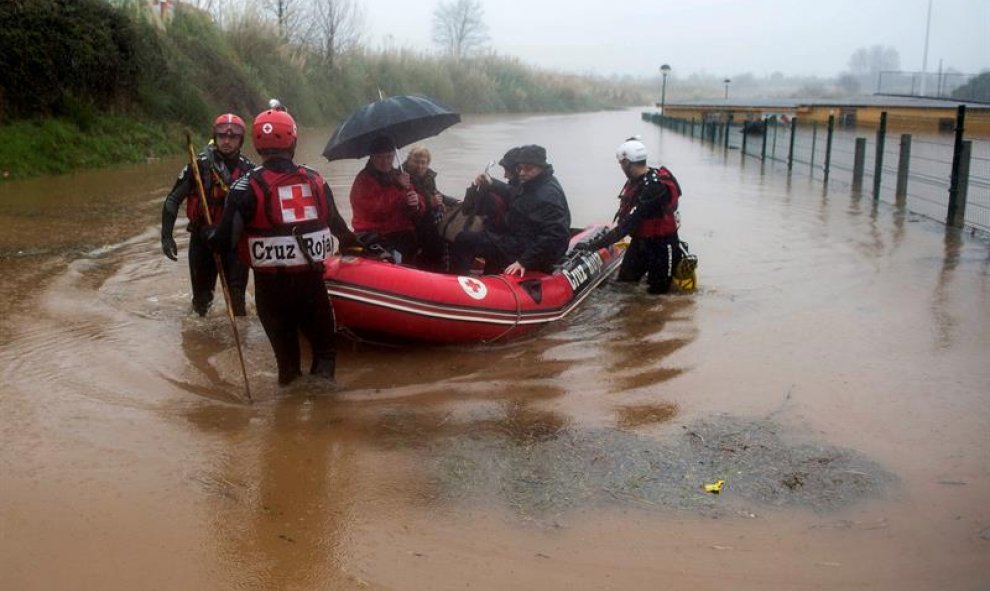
<point>288,231</point>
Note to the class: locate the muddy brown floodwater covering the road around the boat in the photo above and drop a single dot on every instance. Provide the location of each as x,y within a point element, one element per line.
<point>838,332</point>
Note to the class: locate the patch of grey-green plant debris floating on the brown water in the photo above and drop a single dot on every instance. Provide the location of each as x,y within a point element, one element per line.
<point>568,467</point>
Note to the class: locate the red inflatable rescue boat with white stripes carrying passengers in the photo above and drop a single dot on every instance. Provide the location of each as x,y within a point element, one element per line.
<point>379,298</point>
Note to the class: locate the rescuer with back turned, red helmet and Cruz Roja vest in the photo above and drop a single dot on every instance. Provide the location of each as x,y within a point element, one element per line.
<point>282,216</point>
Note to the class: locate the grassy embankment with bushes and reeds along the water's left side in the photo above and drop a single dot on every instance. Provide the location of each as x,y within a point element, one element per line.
<point>112,87</point>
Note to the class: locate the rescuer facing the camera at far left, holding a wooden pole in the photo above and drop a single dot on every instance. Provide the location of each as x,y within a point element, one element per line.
<point>219,166</point>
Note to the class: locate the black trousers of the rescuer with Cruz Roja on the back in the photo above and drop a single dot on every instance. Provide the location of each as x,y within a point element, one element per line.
<point>293,303</point>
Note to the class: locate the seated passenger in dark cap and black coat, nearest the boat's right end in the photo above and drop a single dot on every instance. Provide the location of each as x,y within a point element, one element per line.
<point>535,231</point>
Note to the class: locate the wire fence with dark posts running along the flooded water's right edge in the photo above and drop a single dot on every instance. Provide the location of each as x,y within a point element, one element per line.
<point>914,171</point>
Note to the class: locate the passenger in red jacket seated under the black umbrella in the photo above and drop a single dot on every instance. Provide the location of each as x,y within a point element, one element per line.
<point>384,202</point>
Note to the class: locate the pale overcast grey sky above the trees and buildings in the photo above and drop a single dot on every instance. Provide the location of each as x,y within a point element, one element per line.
<point>718,37</point>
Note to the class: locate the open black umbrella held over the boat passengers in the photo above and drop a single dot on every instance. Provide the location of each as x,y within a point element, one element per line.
<point>405,119</point>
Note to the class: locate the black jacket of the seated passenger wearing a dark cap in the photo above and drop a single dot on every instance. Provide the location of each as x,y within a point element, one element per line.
<point>538,223</point>
